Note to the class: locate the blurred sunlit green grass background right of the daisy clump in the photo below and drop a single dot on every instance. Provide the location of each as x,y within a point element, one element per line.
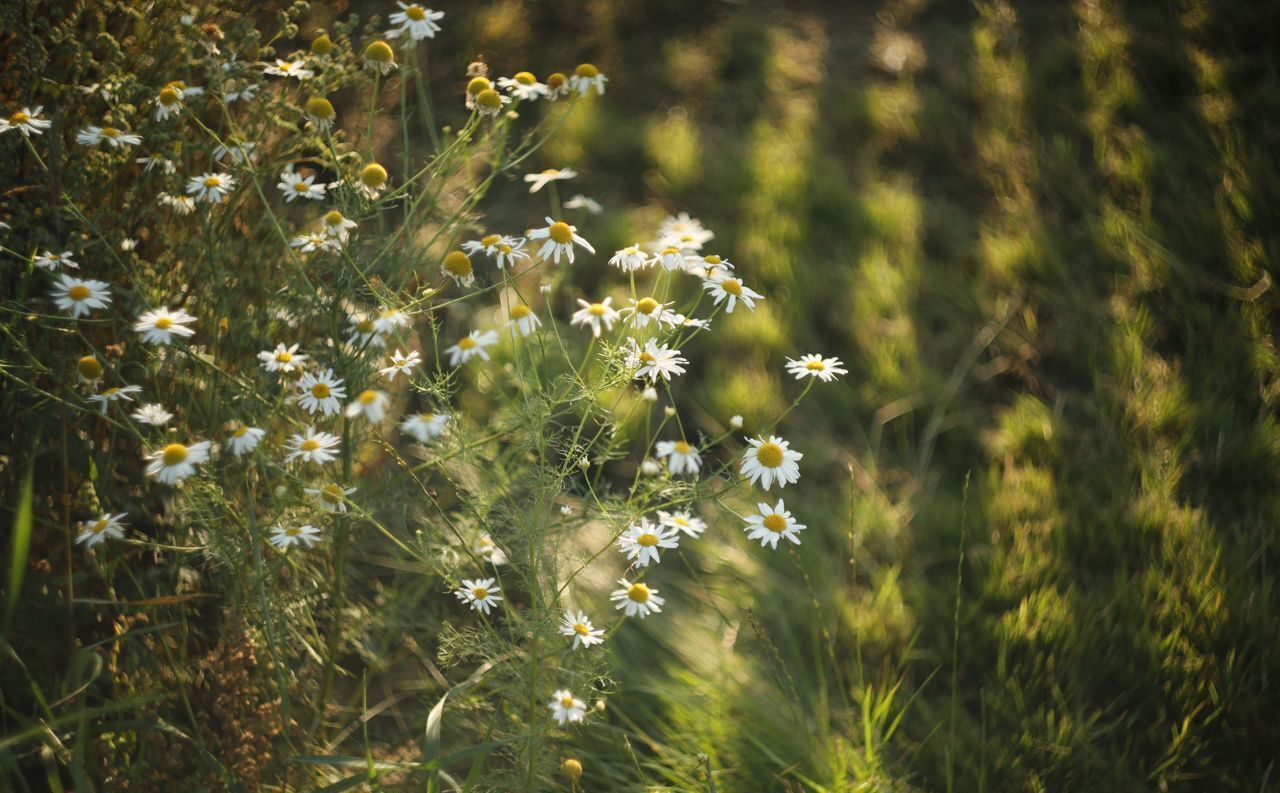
<point>1043,506</point>
